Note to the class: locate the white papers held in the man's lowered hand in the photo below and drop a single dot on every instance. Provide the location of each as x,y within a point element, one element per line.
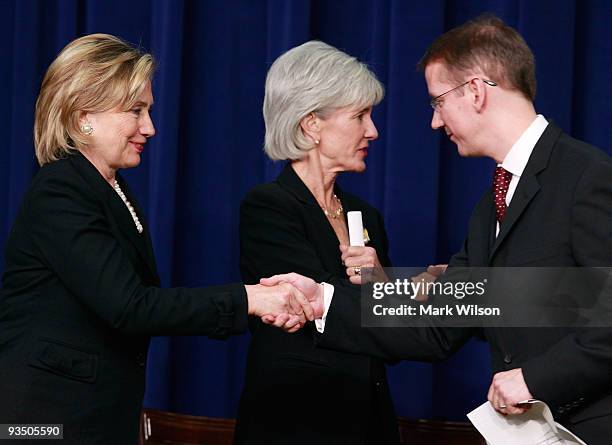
<point>534,427</point>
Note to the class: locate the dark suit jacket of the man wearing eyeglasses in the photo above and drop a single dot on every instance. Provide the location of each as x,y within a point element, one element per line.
<point>560,215</point>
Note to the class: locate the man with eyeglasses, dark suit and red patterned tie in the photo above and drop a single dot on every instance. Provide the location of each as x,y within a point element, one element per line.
<point>550,205</point>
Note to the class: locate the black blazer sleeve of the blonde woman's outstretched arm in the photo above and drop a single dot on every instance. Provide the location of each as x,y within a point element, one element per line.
<point>71,233</point>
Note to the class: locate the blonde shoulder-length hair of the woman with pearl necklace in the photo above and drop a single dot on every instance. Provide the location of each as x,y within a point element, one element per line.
<point>93,73</point>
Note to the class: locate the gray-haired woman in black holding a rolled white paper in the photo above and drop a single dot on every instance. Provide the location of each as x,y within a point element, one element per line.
<point>318,115</point>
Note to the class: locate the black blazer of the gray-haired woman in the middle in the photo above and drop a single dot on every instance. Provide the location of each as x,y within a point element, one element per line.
<point>294,392</point>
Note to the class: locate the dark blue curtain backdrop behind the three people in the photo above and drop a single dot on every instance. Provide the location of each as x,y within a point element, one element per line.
<point>213,56</point>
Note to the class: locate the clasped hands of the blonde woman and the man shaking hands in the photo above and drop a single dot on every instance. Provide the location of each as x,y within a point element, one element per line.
<point>286,301</point>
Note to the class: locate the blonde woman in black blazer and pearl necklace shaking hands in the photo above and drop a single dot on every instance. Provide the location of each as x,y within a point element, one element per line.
<point>81,292</point>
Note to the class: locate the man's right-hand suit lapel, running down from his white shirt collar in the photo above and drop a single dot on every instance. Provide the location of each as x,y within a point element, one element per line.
<point>528,185</point>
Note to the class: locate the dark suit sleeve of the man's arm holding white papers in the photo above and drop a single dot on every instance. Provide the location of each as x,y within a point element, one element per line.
<point>584,357</point>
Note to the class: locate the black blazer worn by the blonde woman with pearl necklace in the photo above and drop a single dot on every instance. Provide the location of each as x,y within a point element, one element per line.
<point>80,299</point>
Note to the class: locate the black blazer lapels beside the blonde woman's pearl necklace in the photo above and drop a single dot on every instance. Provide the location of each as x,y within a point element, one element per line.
<point>119,212</point>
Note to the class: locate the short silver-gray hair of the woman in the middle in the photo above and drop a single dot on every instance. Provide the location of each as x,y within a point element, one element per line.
<point>312,78</point>
